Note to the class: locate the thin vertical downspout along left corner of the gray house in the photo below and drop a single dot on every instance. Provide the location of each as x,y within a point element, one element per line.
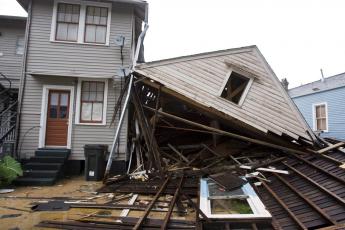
<point>23,78</point>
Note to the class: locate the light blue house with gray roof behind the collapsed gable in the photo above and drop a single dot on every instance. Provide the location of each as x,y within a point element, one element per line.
<point>322,105</point>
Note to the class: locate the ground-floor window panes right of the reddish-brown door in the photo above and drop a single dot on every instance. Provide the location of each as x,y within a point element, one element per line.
<point>92,97</point>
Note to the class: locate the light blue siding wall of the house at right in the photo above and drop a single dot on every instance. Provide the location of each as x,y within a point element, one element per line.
<point>336,110</point>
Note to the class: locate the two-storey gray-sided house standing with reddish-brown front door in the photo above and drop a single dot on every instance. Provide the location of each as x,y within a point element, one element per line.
<point>74,53</point>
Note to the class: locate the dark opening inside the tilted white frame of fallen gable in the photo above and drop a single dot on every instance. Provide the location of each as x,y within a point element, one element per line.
<point>235,87</point>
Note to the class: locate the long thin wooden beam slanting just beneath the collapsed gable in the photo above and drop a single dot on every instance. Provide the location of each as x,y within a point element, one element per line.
<point>225,133</point>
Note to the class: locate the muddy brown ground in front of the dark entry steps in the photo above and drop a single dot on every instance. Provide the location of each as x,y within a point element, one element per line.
<point>15,207</point>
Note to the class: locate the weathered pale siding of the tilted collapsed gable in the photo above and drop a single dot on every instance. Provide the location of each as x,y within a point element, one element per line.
<point>201,78</point>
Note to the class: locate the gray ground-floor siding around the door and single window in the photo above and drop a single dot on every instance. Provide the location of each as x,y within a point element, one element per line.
<point>81,134</point>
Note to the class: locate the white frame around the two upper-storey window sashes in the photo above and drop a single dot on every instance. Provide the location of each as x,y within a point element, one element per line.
<point>82,19</point>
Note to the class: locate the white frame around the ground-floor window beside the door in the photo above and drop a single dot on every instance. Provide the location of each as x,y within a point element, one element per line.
<point>78,102</point>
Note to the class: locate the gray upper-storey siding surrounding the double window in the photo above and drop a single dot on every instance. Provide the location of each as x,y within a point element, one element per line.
<point>84,60</point>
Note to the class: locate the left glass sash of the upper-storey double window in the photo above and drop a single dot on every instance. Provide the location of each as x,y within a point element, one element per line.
<point>67,22</point>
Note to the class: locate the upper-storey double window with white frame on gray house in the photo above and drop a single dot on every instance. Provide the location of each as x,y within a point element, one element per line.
<point>85,22</point>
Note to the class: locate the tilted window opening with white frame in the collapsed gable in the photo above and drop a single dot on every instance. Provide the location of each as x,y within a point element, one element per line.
<point>235,87</point>
